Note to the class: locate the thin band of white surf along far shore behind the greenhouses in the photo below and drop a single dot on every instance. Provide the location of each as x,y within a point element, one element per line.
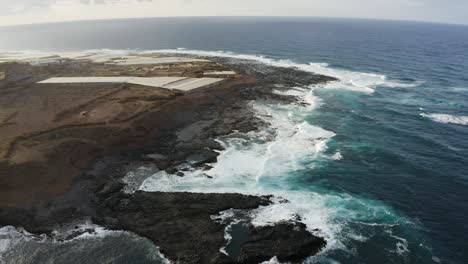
<point>348,80</point>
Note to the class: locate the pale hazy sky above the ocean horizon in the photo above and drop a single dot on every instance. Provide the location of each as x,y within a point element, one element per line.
<point>14,12</point>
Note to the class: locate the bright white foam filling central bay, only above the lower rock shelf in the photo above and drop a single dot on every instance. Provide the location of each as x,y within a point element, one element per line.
<point>271,153</point>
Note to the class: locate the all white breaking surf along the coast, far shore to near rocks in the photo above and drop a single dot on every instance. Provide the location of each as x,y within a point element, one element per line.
<point>268,162</point>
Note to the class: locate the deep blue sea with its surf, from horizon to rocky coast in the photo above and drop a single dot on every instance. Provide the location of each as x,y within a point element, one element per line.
<point>380,162</point>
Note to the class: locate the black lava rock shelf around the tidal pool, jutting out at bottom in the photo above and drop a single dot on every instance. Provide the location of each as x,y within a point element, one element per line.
<point>181,225</point>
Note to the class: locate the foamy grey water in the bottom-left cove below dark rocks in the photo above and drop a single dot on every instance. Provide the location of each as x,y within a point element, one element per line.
<point>19,246</point>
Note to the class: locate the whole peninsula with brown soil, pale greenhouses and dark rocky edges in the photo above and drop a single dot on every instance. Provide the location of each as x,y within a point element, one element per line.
<point>73,125</point>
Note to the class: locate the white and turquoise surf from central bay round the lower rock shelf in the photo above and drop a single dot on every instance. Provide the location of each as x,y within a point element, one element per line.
<point>266,162</point>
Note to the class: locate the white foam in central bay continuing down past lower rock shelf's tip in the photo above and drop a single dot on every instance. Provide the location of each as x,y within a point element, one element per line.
<point>268,156</point>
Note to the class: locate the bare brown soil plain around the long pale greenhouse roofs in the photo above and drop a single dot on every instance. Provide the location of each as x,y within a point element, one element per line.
<point>50,132</point>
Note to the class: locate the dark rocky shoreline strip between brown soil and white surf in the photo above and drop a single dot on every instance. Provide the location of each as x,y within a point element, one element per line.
<point>98,193</point>
